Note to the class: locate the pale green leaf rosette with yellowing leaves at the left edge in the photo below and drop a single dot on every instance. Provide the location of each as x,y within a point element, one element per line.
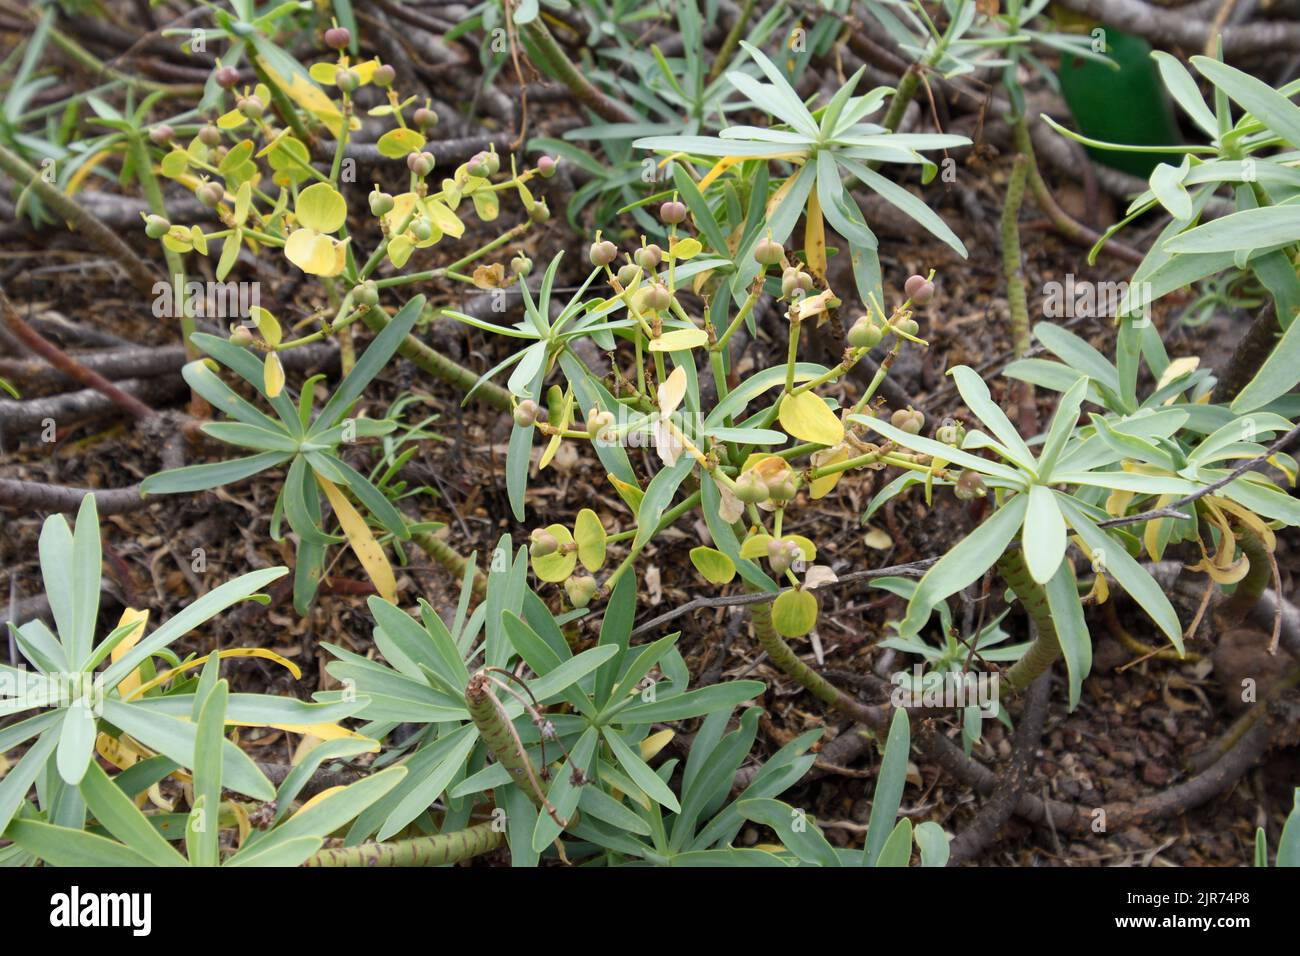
<point>107,697</point>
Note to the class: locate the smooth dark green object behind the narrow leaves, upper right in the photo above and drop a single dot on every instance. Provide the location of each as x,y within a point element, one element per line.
<point>1125,106</point>
